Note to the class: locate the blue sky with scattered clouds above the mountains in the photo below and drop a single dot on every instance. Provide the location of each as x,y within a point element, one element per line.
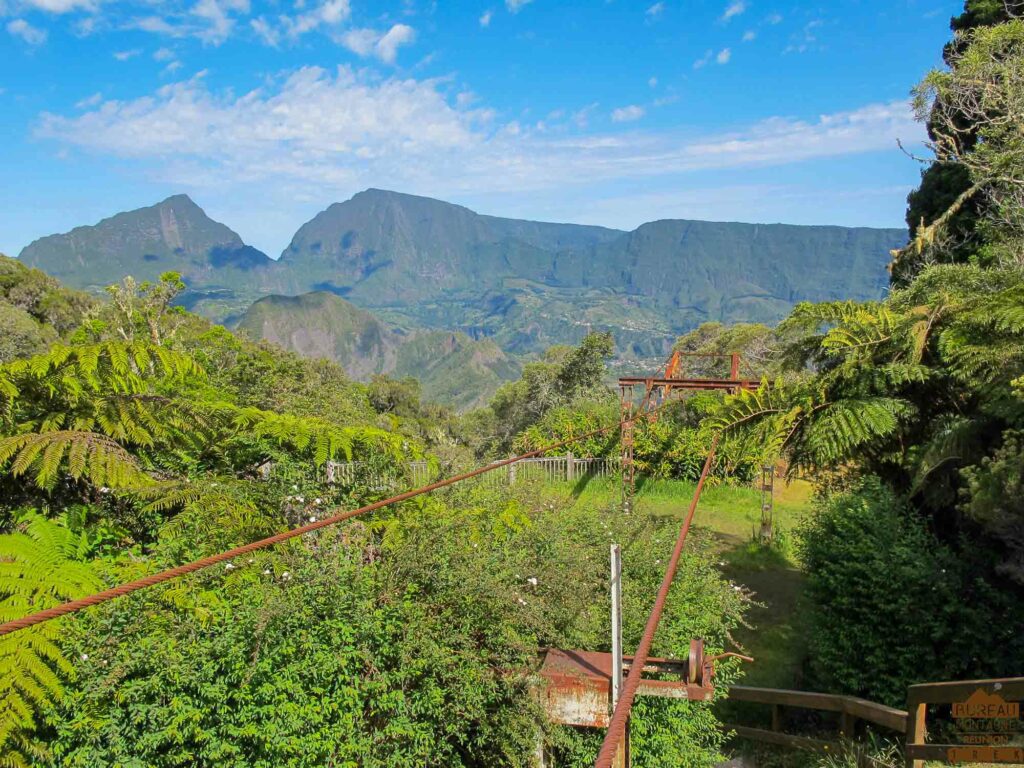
<point>609,112</point>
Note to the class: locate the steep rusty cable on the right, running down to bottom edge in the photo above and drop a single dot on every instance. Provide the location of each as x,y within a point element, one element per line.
<point>620,718</point>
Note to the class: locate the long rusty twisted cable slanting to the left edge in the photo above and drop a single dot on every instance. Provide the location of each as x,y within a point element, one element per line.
<point>74,607</point>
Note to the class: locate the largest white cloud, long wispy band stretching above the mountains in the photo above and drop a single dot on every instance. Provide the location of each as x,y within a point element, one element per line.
<point>337,133</point>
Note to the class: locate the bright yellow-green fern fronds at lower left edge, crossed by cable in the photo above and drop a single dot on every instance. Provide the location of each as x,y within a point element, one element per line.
<point>39,568</point>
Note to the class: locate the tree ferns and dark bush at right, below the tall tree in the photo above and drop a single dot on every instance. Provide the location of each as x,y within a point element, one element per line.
<point>921,393</point>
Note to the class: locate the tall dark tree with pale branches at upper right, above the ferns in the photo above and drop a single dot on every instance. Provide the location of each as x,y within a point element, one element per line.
<point>969,202</point>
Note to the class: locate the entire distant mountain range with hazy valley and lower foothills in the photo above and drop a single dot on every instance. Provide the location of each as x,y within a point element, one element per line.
<point>405,285</point>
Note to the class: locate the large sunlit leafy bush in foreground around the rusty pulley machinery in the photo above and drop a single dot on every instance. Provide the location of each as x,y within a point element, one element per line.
<point>406,641</point>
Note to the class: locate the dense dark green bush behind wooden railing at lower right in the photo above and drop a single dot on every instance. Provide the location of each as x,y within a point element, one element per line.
<point>891,606</point>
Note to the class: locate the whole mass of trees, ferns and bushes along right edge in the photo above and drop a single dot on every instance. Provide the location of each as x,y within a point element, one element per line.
<point>910,413</point>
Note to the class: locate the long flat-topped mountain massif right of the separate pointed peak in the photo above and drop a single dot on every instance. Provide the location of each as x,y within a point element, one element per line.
<point>532,285</point>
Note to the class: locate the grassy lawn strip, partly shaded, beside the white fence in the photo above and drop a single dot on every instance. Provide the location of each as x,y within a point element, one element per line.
<point>732,516</point>
